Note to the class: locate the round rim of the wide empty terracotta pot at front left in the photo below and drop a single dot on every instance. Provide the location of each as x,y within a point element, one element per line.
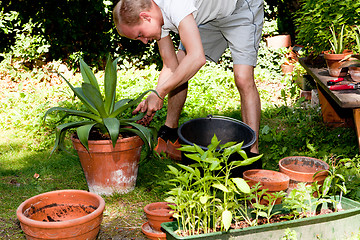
<point>63,224</point>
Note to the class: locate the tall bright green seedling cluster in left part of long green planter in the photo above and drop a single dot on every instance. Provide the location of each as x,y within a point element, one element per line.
<point>204,192</point>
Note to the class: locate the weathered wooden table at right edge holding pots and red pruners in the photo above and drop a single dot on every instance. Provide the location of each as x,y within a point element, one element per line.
<point>339,108</point>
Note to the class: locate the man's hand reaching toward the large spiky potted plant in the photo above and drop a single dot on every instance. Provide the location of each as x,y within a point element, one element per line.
<point>150,105</point>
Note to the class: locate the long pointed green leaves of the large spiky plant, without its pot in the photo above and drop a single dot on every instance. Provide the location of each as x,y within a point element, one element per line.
<point>104,114</point>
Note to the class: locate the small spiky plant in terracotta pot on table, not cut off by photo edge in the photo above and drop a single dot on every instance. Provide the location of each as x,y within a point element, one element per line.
<point>337,53</point>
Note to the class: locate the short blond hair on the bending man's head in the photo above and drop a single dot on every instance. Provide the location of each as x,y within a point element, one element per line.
<point>128,11</point>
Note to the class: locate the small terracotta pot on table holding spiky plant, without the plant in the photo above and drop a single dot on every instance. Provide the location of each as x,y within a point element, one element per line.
<point>333,63</point>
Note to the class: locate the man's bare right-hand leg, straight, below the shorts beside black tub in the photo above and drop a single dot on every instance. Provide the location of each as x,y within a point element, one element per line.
<point>250,99</point>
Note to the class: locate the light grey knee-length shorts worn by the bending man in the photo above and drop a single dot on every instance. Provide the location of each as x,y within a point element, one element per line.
<point>241,32</point>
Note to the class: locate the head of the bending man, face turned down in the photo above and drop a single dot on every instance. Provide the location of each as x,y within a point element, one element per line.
<point>138,20</point>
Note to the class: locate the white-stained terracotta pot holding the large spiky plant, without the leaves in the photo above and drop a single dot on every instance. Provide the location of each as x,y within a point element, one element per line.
<point>107,169</point>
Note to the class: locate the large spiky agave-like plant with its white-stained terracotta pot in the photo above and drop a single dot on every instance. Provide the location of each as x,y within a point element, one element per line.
<point>108,142</point>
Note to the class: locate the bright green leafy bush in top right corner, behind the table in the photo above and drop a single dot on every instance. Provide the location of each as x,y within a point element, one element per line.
<point>314,18</point>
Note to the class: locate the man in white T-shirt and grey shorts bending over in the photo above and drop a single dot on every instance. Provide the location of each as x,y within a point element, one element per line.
<point>206,28</point>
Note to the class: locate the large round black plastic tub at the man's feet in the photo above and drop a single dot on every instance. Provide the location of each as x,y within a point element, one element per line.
<point>200,131</point>
